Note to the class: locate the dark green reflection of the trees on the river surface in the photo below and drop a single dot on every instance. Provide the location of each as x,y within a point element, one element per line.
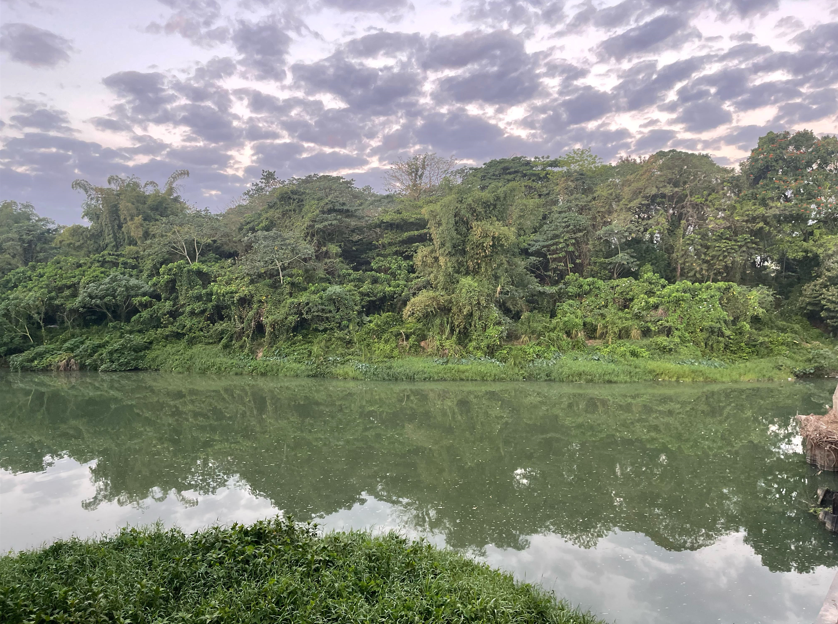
<point>482,464</point>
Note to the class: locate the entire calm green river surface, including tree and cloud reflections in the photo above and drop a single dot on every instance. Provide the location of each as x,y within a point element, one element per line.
<point>643,503</point>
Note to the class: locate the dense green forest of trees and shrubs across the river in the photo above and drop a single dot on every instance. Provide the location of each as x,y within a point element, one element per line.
<point>521,263</point>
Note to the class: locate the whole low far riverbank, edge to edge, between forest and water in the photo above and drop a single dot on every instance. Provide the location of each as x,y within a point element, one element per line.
<point>592,365</point>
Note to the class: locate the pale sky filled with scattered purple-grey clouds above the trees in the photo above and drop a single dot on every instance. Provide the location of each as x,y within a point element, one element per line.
<point>228,88</point>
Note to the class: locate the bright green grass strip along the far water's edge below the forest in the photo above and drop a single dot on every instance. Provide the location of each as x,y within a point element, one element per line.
<point>181,358</point>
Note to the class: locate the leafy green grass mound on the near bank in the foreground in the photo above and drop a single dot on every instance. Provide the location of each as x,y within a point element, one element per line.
<point>272,571</point>
